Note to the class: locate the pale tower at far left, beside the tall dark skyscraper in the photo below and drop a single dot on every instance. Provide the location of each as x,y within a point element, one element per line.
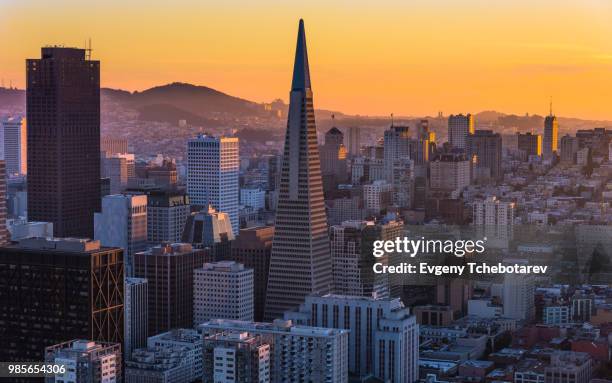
<point>15,150</point>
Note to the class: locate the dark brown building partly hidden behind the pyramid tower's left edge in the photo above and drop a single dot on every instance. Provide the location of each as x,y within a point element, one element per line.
<point>252,248</point>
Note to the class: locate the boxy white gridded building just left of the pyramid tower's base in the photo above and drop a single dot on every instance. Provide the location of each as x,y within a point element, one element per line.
<point>223,290</point>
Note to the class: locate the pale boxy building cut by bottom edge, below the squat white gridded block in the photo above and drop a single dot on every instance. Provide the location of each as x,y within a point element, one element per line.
<point>237,357</point>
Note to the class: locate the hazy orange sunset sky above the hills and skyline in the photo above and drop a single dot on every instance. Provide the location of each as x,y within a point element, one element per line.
<point>408,57</point>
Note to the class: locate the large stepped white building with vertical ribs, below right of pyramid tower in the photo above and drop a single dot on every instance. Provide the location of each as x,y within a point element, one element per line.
<point>383,338</point>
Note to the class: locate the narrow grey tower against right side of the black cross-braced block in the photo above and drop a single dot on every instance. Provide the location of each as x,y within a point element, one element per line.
<point>136,315</point>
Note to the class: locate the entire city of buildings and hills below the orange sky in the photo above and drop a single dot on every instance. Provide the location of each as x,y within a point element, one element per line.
<point>180,234</point>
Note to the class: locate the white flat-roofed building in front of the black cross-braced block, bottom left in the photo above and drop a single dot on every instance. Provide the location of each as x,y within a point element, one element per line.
<point>85,361</point>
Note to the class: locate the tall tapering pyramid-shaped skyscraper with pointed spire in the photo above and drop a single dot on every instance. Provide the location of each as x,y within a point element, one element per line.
<point>300,263</point>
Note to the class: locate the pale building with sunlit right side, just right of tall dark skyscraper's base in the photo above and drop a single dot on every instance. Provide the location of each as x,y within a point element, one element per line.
<point>123,223</point>
